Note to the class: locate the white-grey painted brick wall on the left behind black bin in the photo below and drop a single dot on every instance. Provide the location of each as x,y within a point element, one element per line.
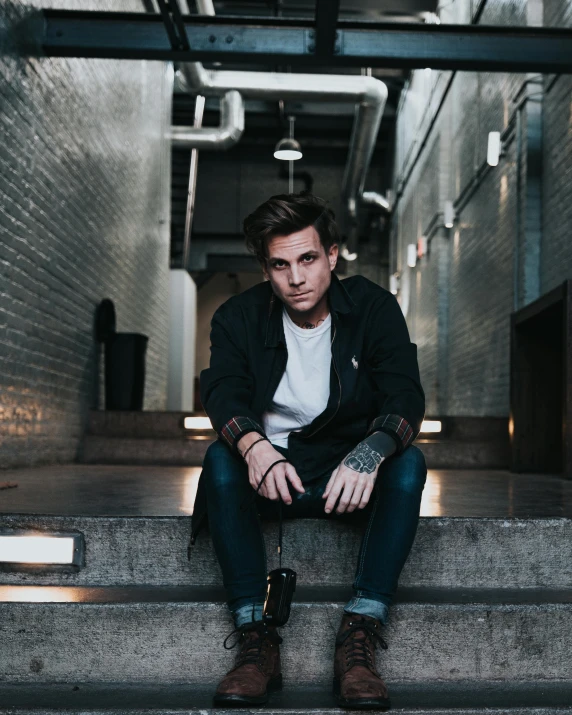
<point>84,197</point>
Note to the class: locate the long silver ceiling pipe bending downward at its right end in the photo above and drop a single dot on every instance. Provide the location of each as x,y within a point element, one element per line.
<point>367,93</point>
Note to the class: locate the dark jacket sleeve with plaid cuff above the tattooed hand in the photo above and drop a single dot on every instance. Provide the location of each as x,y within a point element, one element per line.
<point>392,361</point>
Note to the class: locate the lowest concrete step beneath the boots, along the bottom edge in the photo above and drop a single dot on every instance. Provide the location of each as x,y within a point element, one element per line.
<point>439,698</point>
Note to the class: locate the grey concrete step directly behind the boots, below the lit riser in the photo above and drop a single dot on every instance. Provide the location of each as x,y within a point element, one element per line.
<point>176,636</point>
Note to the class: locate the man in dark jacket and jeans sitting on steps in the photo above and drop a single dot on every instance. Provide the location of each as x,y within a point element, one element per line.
<point>321,373</point>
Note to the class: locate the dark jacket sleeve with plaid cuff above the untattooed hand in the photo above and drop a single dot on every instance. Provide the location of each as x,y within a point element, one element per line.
<point>226,386</point>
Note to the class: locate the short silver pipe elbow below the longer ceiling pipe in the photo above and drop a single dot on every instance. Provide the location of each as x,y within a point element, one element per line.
<point>220,138</point>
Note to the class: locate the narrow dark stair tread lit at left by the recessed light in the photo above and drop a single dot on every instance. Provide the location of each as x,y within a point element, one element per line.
<point>303,595</point>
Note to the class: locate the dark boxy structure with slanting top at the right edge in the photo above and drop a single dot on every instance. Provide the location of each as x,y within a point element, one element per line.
<point>540,389</point>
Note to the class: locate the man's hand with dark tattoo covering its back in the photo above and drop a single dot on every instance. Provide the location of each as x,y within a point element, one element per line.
<point>355,477</point>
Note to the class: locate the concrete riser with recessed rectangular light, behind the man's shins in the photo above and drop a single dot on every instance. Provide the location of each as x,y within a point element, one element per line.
<point>448,551</point>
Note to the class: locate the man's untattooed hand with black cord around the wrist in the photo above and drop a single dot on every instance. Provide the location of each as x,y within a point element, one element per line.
<point>275,486</point>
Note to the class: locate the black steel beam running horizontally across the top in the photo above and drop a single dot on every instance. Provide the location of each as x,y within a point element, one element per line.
<point>452,47</point>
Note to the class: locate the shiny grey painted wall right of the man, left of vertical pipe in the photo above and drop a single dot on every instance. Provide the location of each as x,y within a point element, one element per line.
<point>458,298</point>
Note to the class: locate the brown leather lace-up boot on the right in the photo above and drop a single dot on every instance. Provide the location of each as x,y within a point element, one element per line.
<point>356,681</point>
